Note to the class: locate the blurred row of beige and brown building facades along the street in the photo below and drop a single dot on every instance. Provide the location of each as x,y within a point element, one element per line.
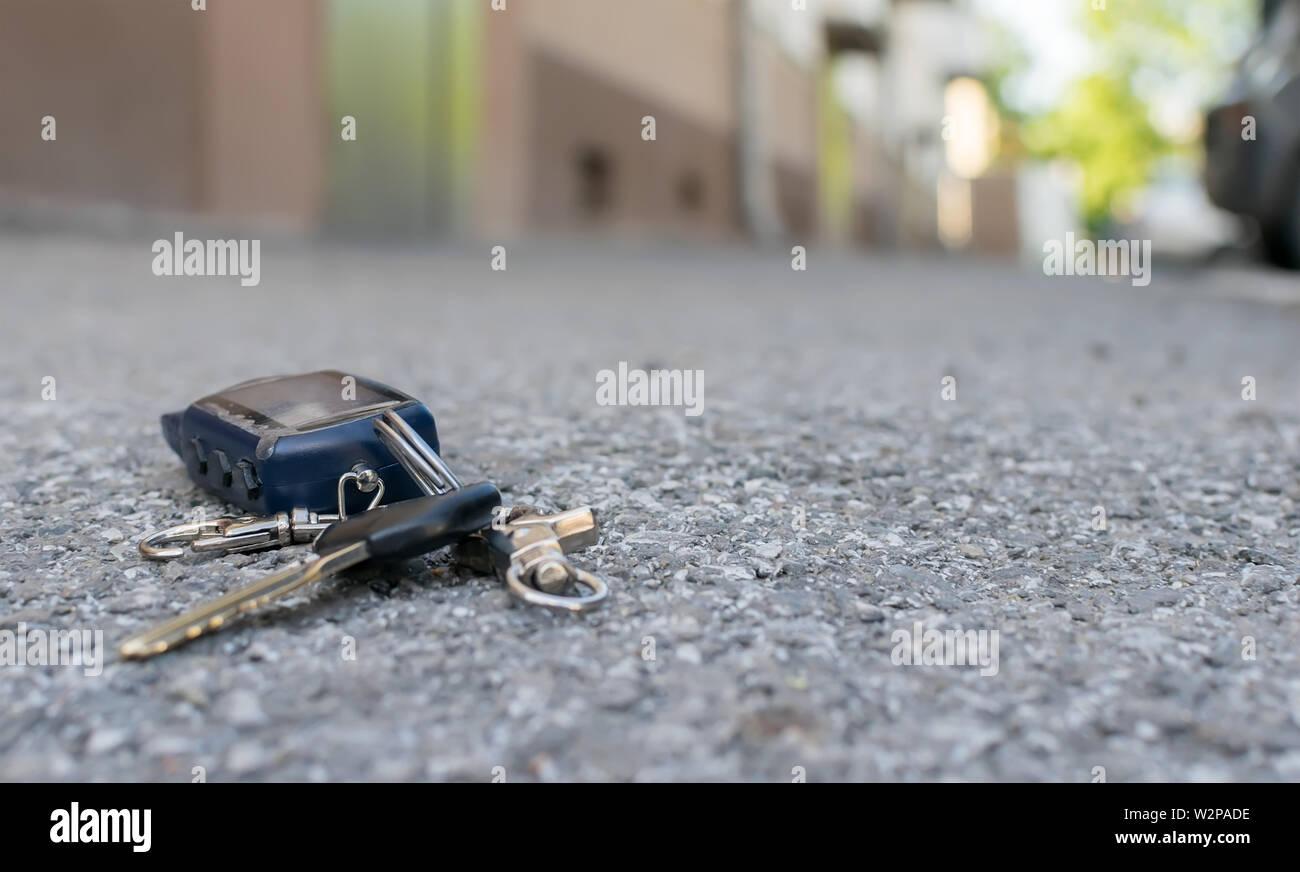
<point>496,118</point>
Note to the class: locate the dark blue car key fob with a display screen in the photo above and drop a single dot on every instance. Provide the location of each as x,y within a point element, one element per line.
<point>272,445</point>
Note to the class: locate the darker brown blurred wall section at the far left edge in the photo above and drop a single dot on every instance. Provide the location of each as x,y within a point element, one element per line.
<point>122,80</point>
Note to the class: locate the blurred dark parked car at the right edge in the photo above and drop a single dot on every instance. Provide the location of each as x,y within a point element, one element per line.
<point>1254,140</point>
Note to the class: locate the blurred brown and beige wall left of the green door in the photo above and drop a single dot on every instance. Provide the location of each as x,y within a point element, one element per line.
<point>166,109</point>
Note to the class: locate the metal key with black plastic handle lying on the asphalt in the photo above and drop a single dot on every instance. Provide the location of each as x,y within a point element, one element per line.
<point>392,533</point>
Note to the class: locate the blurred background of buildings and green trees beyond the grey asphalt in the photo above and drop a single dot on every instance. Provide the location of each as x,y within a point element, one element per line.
<point>981,127</point>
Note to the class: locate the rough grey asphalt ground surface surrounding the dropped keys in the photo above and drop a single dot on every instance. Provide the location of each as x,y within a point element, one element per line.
<point>773,643</point>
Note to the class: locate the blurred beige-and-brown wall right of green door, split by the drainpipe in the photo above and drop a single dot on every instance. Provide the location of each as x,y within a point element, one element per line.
<point>569,84</point>
